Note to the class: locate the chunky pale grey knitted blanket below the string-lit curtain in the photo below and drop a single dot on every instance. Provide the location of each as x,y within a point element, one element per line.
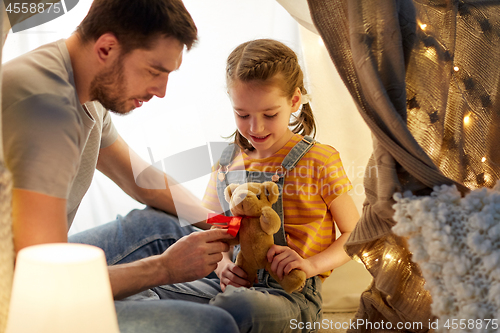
<point>456,242</point>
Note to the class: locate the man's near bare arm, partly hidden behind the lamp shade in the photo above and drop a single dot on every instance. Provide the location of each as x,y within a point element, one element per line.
<point>39,218</point>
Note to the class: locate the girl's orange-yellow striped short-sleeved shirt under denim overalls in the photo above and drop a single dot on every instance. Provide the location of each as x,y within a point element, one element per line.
<point>308,190</point>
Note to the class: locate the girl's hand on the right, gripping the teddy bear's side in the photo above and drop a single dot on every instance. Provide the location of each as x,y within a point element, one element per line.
<point>283,259</point>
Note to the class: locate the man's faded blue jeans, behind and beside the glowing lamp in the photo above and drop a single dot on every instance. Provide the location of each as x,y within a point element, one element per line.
<point>140,234</point>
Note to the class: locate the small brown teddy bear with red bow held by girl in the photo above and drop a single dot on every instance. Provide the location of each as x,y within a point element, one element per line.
<point>253,202</point>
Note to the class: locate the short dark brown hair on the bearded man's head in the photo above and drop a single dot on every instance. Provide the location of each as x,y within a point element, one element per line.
<point>138,23</point>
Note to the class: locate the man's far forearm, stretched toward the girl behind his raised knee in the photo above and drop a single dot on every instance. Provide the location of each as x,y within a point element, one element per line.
<point>155,188</point>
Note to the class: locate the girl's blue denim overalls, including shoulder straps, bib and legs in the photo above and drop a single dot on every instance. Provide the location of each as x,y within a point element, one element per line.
<point>265,307</point>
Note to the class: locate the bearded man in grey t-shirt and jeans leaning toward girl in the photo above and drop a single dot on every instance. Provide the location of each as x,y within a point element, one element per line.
<point>56,131</point>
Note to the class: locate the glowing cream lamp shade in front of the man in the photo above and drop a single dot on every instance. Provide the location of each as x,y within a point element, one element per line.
<point>61,288</point>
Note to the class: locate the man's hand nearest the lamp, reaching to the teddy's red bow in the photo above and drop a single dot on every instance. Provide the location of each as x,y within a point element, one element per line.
<point>194,256</point>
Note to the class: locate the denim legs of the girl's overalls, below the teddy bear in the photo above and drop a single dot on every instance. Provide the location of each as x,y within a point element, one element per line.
<point>265,307</point>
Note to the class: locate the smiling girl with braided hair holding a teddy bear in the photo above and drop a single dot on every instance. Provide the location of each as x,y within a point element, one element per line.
<point>265,85</point>
